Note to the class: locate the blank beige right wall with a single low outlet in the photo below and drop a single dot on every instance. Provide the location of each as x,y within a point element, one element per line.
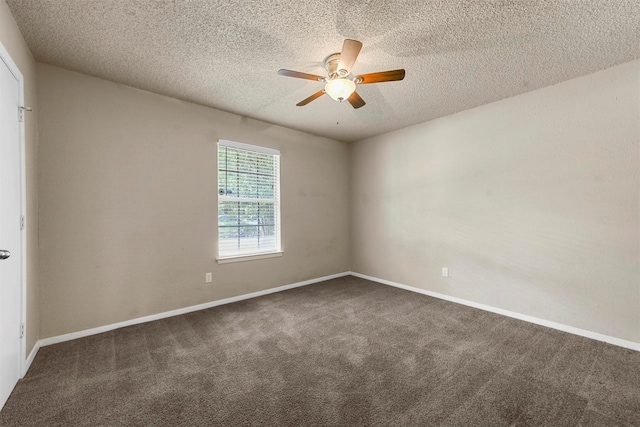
<point>531,202</point>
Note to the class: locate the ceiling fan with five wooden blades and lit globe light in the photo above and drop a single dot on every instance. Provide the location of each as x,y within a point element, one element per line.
<point>340,84</point>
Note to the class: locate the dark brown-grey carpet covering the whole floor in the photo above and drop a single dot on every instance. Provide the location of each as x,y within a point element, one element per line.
<point>343,352</point>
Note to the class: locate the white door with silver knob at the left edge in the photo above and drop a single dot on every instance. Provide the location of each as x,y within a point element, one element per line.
<point>10,234</point>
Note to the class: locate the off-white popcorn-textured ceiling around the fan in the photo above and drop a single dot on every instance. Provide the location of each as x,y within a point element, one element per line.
<point>225,54</point>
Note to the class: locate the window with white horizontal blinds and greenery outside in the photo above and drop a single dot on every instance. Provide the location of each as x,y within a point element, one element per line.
<point>248,200</point>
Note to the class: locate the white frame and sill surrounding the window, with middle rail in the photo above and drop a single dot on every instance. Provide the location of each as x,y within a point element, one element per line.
<point>256,254</point>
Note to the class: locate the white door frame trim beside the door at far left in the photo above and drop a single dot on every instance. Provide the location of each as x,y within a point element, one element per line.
<point>13,68</point>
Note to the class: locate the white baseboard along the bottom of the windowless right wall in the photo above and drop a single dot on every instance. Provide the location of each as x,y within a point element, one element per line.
<point>549,324</point>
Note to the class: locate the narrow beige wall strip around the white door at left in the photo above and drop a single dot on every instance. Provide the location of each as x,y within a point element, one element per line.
<point>12,40</point>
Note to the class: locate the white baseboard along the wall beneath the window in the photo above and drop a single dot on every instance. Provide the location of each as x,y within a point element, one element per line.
<point>158,316</point>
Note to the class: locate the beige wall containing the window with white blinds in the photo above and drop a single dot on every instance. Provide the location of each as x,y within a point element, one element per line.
<point>128,207</point>
